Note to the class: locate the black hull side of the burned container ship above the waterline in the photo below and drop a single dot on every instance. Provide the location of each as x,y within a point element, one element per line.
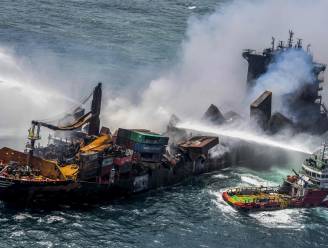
<point>29,194</point>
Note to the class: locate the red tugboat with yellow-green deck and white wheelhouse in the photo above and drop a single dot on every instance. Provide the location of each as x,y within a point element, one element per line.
<point>306,189</point>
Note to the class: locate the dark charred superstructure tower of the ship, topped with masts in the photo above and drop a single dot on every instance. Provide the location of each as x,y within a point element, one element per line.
<point>306,109</point>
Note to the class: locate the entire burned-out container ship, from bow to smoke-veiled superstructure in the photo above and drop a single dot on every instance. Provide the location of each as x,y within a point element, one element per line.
<point>91,164</point>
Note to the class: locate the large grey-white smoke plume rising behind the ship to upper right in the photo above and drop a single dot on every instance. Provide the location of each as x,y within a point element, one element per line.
<point>211,69</point>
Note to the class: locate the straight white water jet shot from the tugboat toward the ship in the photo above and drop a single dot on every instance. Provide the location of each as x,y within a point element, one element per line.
<point>246,136</point>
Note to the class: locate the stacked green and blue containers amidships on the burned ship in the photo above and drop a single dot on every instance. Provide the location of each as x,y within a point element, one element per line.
<point>148,146</point>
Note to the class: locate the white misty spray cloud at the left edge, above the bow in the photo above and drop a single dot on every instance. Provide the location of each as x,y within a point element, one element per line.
<point>30,89</point>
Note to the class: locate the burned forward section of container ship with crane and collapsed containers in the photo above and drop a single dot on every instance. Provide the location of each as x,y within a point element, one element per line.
<point>94,165</point>
